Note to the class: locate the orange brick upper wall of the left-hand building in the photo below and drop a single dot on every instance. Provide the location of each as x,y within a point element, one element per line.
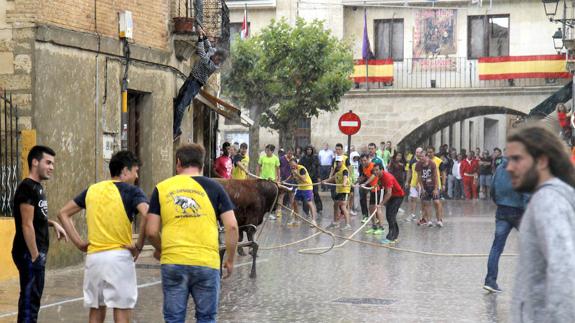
<point>151,18</point>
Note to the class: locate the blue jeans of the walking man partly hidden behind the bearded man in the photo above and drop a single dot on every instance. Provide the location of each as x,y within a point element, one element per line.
<point>506,219</point>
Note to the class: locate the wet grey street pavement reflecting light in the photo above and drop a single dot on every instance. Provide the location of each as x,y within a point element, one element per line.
<point>354,283</point>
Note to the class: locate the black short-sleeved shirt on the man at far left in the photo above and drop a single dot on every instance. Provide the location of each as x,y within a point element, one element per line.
<point>32,193</point>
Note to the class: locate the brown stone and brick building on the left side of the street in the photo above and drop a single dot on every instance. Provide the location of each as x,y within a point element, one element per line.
<point>63,63</point>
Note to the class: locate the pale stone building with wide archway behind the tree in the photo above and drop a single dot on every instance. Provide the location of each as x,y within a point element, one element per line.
<point>395,110</point>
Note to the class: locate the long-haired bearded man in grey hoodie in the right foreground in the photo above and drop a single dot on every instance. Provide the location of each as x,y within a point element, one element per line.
<point>545,280</point>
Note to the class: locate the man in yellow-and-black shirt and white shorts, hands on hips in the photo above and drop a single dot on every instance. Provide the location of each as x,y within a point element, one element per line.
<point>111,206</point>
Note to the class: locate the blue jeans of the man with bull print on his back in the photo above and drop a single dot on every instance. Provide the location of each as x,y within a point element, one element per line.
<point>179,281</point>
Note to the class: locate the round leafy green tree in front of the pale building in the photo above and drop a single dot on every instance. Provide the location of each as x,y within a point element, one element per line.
<point>286,73</point>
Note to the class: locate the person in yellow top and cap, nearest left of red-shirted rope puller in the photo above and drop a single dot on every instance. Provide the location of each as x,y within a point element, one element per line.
<point>341,178</point>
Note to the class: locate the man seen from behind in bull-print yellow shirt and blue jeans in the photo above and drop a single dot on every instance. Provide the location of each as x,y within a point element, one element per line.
<point>186,209</point>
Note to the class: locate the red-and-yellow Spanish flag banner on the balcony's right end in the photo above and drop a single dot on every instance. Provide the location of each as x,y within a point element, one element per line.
<point>517,67</point>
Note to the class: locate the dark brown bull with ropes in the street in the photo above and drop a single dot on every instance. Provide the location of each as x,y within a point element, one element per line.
<point>253,198</point>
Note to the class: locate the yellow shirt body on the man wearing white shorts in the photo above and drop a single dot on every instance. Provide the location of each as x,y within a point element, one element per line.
<point>108,225</point>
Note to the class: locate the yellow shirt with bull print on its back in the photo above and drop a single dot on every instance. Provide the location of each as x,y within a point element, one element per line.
<point>189,223</point>
